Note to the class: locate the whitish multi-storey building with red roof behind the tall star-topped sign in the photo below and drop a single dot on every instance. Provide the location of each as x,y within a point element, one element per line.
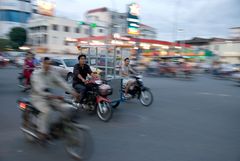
<point>110,22</point>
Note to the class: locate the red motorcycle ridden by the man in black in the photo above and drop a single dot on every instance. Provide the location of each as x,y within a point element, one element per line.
<point>95,100</point>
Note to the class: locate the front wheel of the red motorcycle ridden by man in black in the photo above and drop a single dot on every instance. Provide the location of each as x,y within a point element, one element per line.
<point>104,111</point>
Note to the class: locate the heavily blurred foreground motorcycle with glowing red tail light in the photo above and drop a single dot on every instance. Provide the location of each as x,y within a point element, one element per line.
<point>77,138</point>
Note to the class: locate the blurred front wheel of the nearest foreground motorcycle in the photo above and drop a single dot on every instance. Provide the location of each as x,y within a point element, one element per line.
<point>79,143</point>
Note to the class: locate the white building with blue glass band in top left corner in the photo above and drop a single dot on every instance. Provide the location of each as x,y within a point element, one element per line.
<point>14,13</point>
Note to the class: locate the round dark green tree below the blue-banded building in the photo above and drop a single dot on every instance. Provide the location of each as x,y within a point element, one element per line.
<point>18,35</point>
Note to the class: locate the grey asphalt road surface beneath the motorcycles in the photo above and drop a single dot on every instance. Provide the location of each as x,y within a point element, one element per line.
<point>189,121</point>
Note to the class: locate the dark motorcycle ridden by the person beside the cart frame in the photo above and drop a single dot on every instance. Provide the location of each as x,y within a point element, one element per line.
<point>137,90</point>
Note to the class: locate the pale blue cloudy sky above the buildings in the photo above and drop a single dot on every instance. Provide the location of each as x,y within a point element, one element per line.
<point>194,18</point>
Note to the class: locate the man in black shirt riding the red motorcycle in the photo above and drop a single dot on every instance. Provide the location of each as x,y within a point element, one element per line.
<point>80,72</point>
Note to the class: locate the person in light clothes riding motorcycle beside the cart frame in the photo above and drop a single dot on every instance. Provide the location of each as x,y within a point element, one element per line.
<point>127,81</point>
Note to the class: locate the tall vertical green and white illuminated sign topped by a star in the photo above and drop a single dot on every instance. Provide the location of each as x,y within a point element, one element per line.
<point>133,19</point>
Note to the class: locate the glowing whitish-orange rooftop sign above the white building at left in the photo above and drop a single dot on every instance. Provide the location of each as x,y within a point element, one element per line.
<point>45,8</point>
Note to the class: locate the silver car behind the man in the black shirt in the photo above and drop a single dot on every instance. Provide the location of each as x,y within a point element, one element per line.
<point>65,64</point>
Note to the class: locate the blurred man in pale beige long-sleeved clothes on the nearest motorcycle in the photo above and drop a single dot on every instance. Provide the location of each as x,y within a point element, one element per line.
<point>42,81</point>
